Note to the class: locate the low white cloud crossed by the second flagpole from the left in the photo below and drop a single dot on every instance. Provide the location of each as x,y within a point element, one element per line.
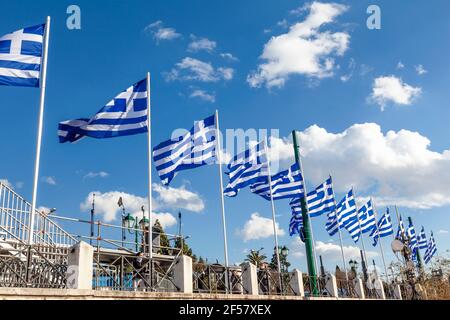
<point>106,205</point>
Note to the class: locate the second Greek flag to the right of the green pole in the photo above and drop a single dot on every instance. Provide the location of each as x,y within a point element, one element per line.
<point>344,216</point>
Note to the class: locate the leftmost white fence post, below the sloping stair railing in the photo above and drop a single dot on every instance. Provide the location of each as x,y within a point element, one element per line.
<point>80,266</point>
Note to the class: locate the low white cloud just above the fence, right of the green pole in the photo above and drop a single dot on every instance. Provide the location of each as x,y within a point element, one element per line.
<point>330,251</point>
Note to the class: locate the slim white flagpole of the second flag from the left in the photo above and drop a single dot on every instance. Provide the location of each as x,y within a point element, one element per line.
<point>150,208</point>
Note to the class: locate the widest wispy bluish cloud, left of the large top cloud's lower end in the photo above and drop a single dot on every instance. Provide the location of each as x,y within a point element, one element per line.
<point>190,69</point>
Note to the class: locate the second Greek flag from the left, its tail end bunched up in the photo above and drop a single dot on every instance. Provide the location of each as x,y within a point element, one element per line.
<point>124,115</point>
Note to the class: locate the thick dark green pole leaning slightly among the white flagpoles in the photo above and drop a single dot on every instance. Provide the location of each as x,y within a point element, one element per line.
<point>307,226</point>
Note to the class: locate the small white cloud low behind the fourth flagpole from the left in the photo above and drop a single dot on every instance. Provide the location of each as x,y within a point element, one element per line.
<point>258,227</point>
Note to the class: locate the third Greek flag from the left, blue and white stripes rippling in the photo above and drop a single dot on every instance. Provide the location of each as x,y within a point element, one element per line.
<point>195,148</point>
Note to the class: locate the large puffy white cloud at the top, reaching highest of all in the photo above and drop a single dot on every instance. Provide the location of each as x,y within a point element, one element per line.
<point>304,49</point>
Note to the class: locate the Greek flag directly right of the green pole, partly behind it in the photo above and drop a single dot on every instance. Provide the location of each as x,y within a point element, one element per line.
<point>320,201</point>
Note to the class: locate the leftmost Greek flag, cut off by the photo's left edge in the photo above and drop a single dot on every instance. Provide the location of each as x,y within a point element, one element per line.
<point>20,57</point>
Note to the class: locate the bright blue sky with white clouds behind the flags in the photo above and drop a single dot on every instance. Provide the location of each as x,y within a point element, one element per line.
<point>397,155</point>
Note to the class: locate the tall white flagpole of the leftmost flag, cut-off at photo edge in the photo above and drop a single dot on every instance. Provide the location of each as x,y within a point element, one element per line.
<point>39,133</point>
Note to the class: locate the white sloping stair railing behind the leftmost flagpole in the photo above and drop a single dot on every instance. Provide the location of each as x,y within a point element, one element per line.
<point>15,221</point>
